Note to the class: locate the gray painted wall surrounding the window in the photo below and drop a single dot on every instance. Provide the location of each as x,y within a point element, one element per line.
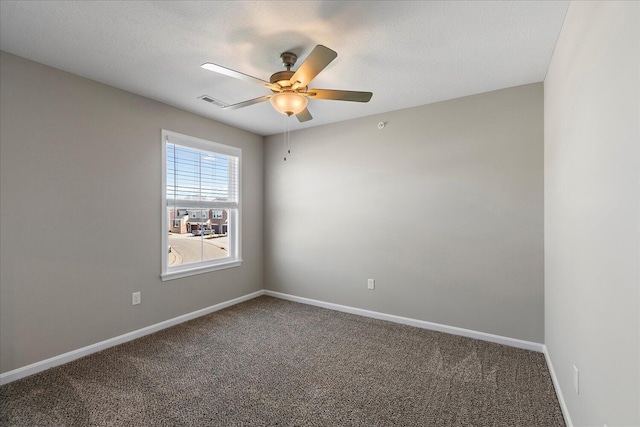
<point>80,213</point>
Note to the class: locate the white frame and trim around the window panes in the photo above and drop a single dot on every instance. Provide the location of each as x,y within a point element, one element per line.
<point>234,213</point>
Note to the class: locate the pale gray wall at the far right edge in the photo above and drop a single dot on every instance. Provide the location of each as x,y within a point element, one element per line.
<point>592,217</point>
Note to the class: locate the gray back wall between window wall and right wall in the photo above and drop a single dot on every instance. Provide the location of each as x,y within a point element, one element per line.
<point>443,208</point>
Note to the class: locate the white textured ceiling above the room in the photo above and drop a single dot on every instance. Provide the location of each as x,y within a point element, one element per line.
<point>407,53</point>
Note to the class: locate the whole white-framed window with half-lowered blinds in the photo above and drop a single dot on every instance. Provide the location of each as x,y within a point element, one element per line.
<point>201,186</point>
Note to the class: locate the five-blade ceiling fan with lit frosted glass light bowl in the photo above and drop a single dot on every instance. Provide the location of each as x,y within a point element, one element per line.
<point>290,89</point>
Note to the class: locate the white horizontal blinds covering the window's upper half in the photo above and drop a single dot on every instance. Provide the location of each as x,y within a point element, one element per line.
<point>197,178</point>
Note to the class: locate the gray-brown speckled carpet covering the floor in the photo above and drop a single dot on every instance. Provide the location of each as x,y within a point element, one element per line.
<point>269,362</point>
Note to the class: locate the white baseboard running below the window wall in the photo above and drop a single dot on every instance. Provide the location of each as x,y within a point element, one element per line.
<point>43,365</point>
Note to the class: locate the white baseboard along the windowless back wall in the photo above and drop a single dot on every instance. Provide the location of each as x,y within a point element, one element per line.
<point>512,342</point>
